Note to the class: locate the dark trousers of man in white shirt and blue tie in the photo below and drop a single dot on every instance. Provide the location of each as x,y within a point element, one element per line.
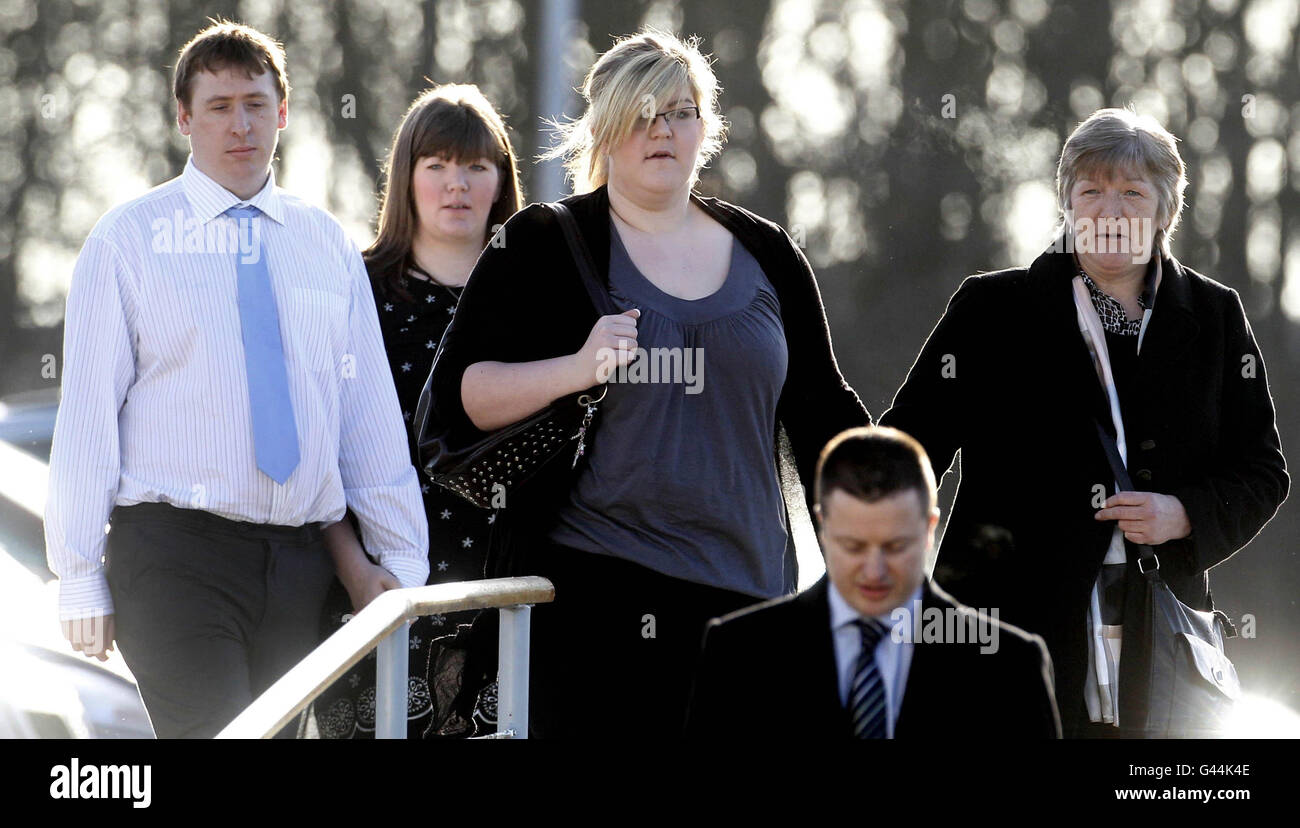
<point>210,613</point>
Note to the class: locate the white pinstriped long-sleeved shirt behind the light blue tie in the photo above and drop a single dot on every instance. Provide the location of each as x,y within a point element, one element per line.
<point>155,397</point>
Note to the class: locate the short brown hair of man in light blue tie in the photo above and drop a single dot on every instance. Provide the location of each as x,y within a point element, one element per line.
<point>224,45</point>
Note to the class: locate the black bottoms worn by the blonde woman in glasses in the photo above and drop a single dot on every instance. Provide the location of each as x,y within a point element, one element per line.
<point>616,654</point>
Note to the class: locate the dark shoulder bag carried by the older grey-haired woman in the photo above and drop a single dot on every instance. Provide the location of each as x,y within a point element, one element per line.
<point>1191,684</point>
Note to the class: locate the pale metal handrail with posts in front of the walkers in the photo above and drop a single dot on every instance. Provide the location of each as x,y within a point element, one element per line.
<point>384,625</point>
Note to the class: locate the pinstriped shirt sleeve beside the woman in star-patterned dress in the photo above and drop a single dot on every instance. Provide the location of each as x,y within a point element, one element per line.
<point>380,484</point>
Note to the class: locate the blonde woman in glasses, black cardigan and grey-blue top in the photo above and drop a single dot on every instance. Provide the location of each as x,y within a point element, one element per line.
<point>675,513</point>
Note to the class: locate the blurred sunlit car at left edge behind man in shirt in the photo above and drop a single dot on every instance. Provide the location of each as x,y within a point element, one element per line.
<point>47,691</point>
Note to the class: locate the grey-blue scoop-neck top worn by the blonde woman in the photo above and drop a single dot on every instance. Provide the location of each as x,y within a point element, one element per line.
<point>682,476</point>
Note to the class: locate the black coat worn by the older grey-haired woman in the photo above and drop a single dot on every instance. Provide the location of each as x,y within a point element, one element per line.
<point>1006,378</point>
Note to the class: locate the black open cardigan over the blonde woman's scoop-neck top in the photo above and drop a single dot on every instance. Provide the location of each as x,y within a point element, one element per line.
<point>526,302</point>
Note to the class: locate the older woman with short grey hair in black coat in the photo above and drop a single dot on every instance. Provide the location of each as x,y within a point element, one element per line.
<point>1106,328</point>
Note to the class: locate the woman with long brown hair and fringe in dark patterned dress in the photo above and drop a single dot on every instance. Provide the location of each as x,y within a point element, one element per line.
<point>452,183</point>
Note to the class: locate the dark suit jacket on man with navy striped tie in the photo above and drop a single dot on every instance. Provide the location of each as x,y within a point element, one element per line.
<point>769,671</point>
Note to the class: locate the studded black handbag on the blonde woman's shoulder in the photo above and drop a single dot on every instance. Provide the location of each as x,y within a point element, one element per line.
<point>488,472</point>
